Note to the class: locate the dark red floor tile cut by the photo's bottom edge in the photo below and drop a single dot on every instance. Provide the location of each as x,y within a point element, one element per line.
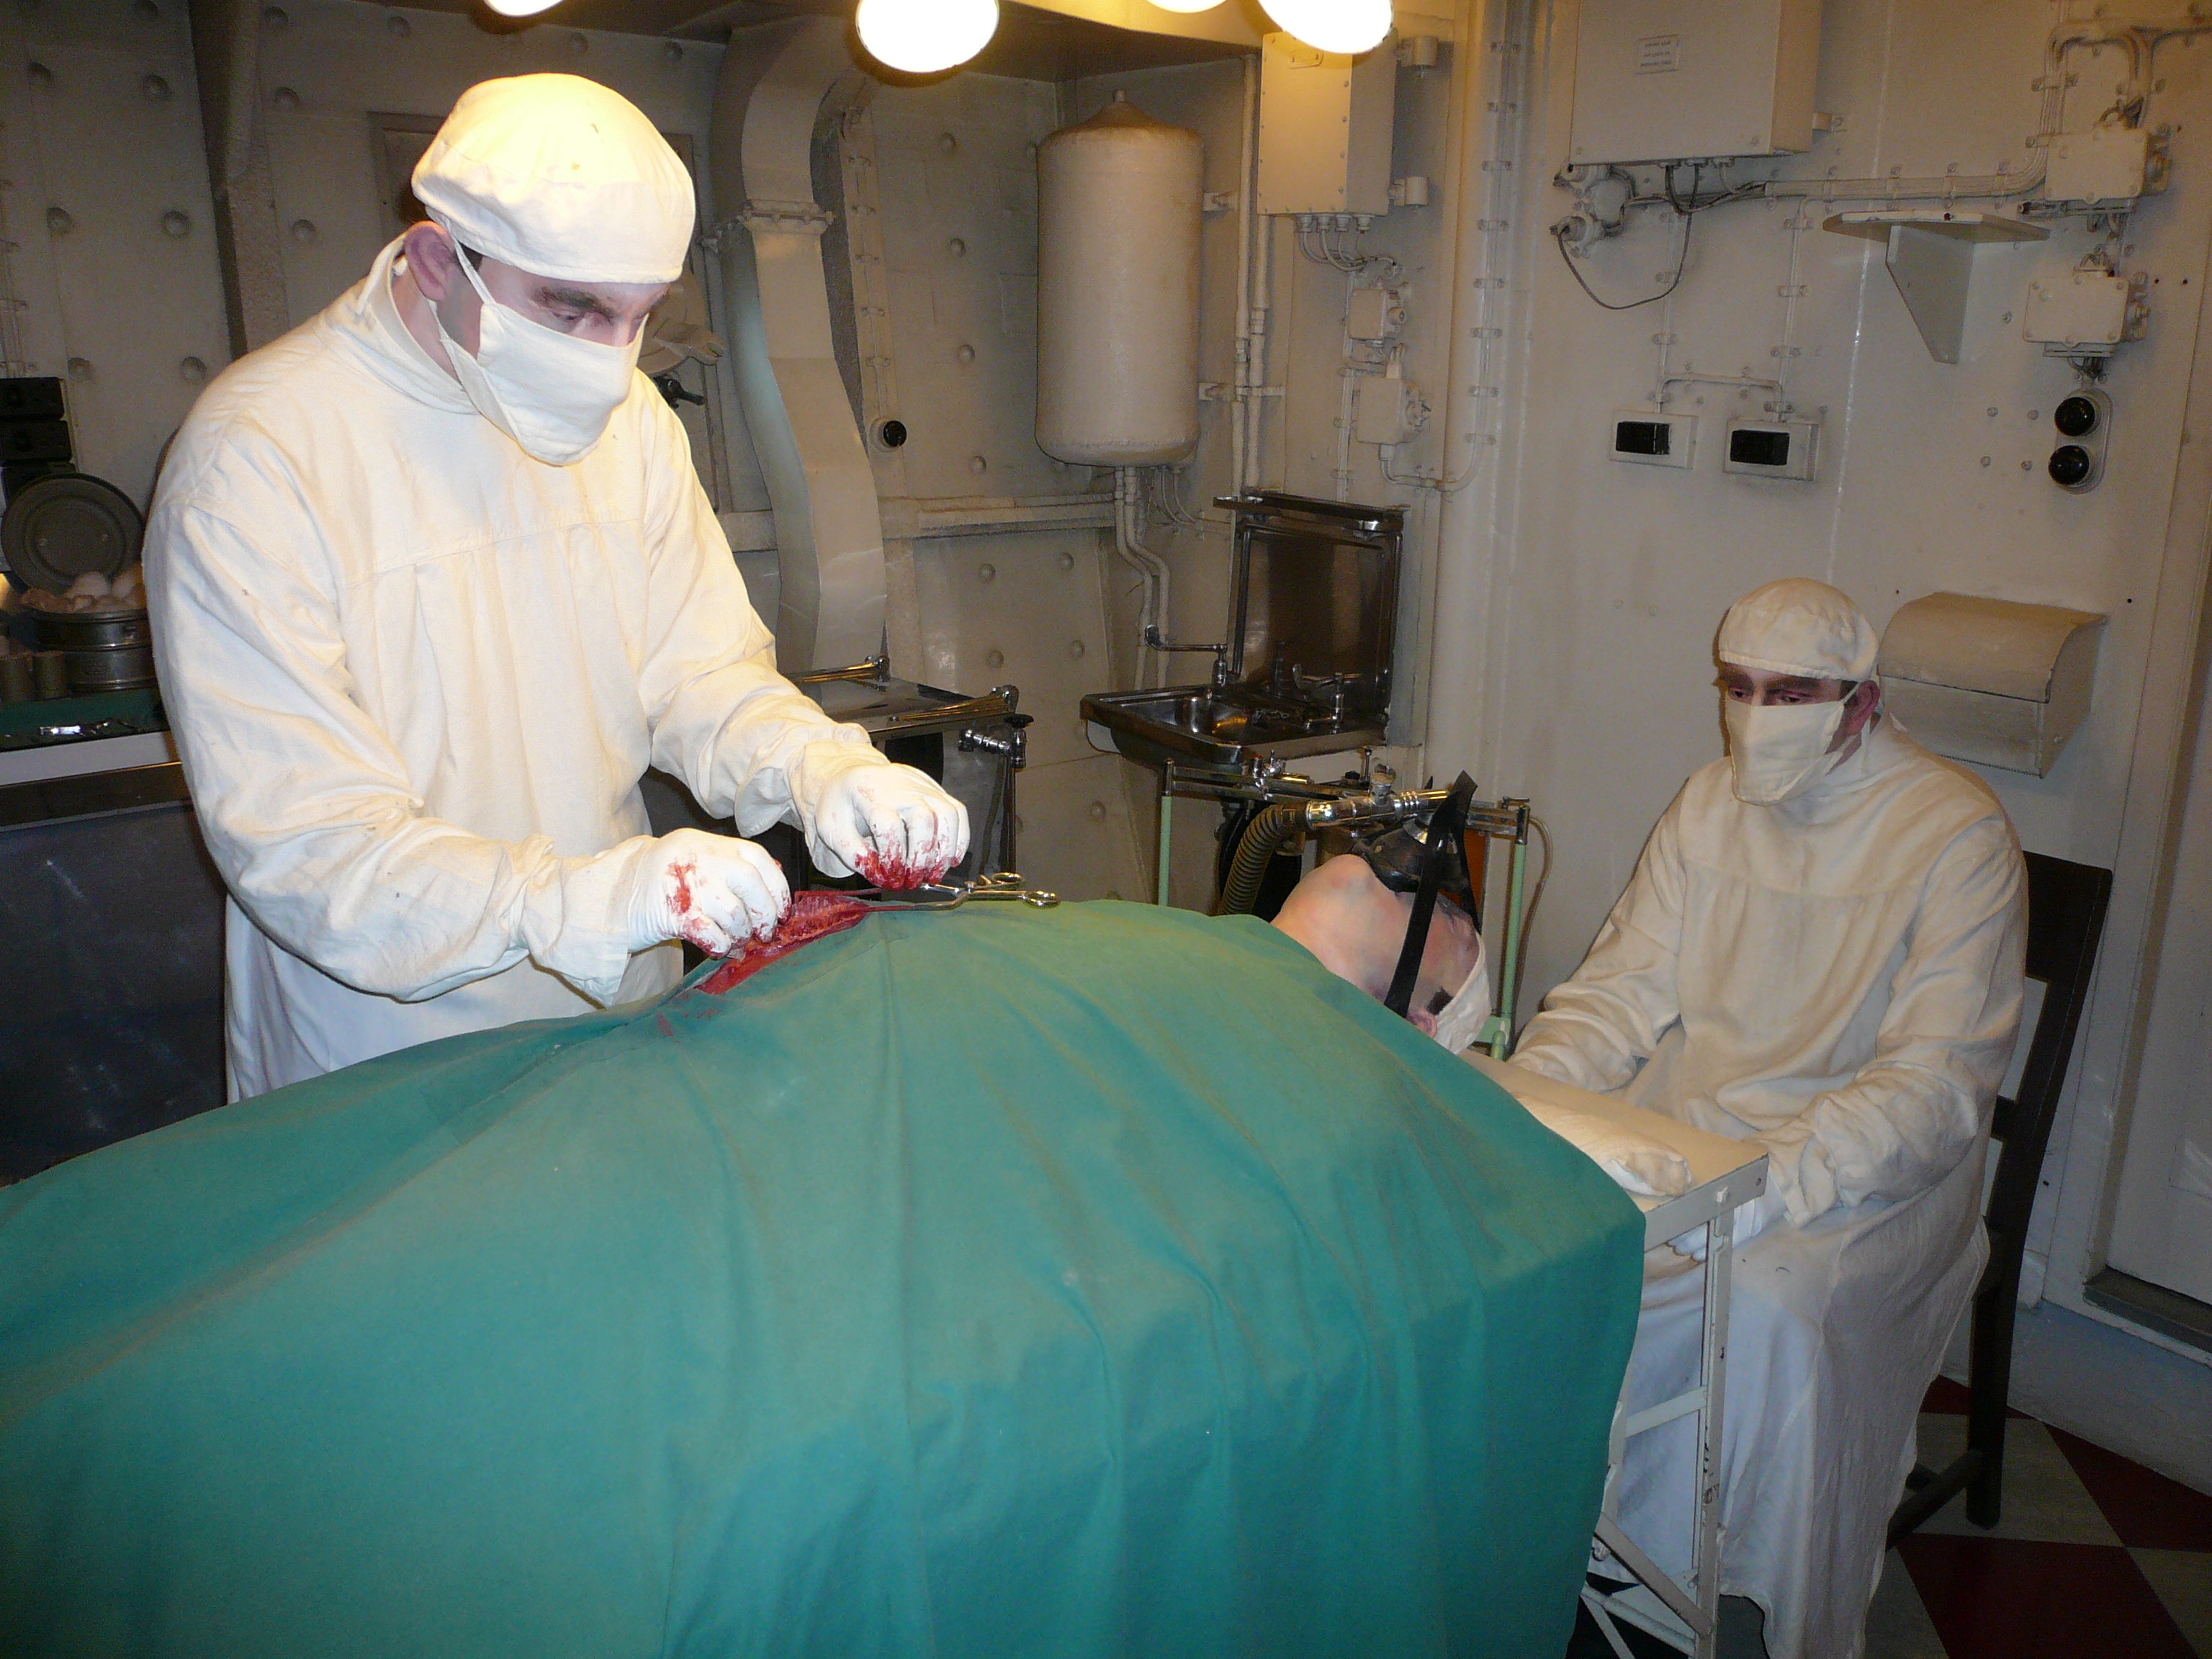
<point>1996,1598</point>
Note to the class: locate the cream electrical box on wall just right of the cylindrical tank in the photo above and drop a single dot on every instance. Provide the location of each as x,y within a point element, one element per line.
<point>1326,127</point>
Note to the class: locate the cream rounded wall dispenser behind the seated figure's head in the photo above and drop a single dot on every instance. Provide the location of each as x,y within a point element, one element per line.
<point>1990,680</point>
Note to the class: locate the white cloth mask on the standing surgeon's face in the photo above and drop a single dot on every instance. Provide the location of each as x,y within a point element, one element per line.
<point>550,393</point>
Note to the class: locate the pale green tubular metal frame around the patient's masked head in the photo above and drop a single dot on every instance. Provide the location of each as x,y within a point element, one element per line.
<point>1346,802</point>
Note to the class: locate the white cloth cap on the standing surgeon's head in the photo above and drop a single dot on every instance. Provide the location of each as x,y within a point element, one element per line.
<point>561,178</point>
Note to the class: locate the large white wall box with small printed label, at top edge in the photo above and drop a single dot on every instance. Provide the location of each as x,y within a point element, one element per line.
<point>1689,81</point>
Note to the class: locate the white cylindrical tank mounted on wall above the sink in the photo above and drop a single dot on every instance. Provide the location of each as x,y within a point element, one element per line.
<point>1118,291</point>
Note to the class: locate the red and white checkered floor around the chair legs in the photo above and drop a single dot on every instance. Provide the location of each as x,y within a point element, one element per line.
<point>2096,1558</point>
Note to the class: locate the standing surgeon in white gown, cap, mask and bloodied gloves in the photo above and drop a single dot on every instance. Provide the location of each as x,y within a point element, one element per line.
<point>435,583</point>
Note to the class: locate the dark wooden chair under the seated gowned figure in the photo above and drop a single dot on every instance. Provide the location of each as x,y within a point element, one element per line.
<point>2065,921</point>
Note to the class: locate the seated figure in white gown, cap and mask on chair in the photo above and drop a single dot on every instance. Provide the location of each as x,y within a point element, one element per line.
<point>1822,952</point>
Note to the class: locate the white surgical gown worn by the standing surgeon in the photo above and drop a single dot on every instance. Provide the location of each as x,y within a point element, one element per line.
<point>417,678</point>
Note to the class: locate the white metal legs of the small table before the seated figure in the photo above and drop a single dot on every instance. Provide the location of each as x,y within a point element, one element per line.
<point>1684,1614</point>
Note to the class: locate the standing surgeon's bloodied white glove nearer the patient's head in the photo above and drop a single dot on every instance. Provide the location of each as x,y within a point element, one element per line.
<point>870,817</point>
